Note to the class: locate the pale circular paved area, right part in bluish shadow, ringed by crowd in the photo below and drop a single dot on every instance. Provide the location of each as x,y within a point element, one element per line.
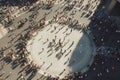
<point>60,50</point>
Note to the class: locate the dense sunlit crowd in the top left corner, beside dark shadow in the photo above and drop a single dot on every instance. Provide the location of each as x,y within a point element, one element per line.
<point>8,13</point>
